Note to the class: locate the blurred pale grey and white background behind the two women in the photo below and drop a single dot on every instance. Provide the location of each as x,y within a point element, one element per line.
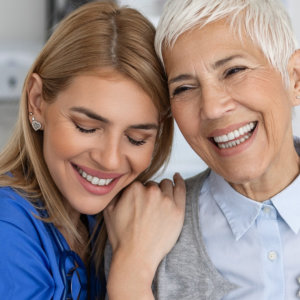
<point>25,26</point>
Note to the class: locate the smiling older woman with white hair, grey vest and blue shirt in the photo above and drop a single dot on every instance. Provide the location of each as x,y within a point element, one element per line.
<point>234,76</point>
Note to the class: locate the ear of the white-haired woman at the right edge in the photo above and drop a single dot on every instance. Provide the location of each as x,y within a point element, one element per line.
<point>294,72</point>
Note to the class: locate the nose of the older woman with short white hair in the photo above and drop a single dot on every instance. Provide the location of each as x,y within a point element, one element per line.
<point>215,102</point>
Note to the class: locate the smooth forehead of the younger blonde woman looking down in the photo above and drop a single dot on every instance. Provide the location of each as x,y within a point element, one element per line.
<point>112,95</point>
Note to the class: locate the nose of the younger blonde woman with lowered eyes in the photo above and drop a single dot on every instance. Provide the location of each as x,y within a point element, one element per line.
<point>108,153</point>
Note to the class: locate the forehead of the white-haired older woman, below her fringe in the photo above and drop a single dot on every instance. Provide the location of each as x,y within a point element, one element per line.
<point>209,44</point>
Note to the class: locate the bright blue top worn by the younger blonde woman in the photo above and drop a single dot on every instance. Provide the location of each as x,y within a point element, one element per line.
<point>29,256</point>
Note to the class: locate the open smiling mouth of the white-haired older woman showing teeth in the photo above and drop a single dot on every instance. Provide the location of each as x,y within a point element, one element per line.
<point>235,137</point>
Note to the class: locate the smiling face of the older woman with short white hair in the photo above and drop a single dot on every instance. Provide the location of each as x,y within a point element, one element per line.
<point>230,104</point>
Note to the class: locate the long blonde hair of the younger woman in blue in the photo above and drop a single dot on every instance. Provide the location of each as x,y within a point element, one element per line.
<point>95,36</point>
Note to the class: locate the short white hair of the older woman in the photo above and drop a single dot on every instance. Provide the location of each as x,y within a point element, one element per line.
<point>265,21</point>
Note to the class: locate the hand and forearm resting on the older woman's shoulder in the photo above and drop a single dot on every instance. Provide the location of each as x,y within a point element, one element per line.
<point>143,225</point>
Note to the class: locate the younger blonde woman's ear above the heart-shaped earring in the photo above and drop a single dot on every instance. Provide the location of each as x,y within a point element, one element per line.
<point>35,98</point>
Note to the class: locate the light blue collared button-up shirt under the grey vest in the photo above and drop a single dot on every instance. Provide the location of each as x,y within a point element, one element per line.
<point>254,245</point>
